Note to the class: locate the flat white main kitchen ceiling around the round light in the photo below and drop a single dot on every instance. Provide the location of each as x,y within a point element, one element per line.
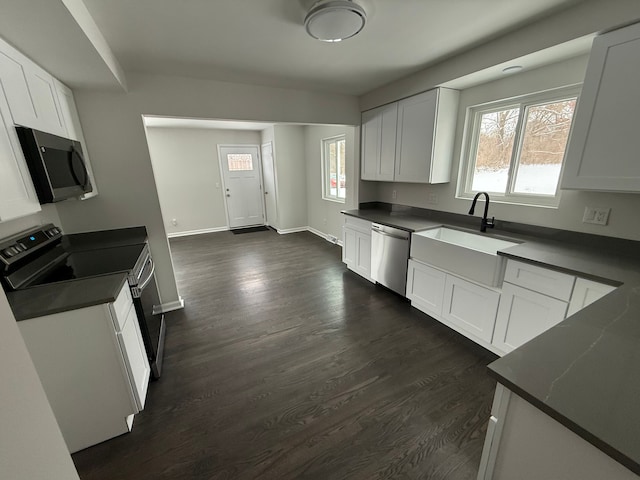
<point>264,41</point>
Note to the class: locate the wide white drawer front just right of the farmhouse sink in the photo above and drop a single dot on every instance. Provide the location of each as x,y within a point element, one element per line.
<point>541,280</point>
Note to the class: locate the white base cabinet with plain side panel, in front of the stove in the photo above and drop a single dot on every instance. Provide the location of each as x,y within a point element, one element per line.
<point>93,367</point>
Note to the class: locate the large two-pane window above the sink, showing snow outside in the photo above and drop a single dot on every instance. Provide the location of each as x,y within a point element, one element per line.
<point>514,148</point>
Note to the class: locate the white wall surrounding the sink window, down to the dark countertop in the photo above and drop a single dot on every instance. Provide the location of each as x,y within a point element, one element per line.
<point>623,220</point>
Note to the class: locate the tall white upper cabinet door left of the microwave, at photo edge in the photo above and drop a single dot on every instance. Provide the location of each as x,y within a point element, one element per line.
<point>17,195</point>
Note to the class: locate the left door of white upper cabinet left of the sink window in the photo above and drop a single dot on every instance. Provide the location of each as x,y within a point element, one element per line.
<point>379,143</point>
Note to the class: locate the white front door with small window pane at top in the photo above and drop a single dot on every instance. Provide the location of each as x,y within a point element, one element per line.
<point>241,175</point>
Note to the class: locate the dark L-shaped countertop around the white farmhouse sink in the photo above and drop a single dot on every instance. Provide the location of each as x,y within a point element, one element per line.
<point>585,371</point>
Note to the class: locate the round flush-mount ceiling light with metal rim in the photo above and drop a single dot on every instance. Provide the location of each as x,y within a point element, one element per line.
<point>335,20</point>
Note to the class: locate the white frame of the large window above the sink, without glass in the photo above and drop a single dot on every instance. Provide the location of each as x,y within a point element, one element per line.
<point>470,145</point>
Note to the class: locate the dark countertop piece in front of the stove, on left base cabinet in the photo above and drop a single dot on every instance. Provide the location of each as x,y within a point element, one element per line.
<point>62,296</point>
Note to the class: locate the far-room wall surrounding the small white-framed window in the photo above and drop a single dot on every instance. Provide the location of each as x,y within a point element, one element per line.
<point>324,215</point>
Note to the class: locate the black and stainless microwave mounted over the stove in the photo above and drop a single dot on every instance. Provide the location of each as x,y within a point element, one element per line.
<point>56,165</point>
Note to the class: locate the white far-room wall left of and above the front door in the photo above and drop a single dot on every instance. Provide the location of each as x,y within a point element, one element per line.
<point>187,172</point>
